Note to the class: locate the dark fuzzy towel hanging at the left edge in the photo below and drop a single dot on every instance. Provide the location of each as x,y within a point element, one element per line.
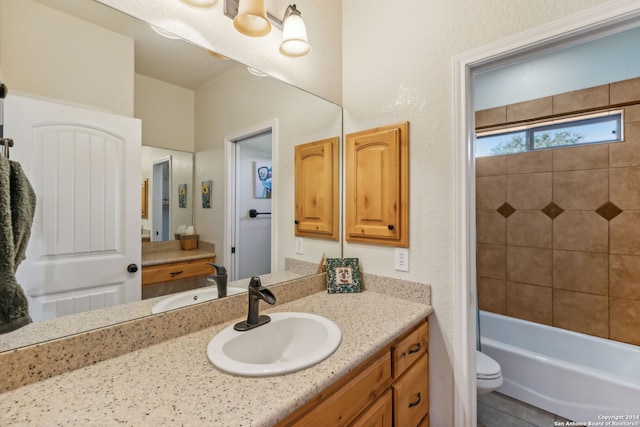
<point>17,208</point>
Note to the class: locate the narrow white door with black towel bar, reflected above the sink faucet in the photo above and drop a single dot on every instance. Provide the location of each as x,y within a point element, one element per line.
<point>253,192</point>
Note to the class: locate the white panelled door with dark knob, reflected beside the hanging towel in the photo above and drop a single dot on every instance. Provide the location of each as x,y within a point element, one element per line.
<point>84,166</point>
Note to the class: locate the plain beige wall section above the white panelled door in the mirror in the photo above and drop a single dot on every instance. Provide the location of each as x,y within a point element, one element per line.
<point>51,54</point>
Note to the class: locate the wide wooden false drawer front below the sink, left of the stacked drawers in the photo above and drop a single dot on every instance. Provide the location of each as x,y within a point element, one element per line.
<point>338,408</point>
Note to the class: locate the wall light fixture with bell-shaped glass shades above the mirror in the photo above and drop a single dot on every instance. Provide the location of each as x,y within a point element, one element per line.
<point>251,18</point>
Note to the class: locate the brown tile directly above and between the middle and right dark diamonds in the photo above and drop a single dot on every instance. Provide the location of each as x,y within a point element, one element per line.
<point>581,190</point>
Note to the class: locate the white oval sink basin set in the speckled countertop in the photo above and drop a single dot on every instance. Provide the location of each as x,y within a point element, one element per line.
<point>289,343</point>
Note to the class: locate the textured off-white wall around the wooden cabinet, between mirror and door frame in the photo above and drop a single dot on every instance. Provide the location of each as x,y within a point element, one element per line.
<point>397,65</point>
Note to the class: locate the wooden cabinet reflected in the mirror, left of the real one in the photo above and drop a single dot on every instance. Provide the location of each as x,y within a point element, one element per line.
<point>316,189</point>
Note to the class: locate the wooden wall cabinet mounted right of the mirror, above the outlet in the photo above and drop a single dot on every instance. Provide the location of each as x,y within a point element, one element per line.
<point>377,186</point>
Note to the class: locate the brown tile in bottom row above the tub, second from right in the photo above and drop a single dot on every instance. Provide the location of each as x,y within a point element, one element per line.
<point>580,312</point>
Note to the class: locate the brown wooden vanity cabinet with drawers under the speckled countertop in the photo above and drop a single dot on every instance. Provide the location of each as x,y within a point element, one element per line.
<point>389,389</point>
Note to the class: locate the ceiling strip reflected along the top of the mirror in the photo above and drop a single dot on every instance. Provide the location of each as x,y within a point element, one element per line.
<point>172,61</point>
